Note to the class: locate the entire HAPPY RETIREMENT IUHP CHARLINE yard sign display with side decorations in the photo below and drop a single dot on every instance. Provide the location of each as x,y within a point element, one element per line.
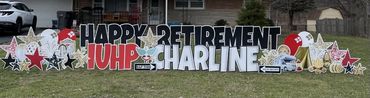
<point>181,47</point>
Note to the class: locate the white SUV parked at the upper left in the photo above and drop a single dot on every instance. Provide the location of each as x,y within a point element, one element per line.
<point>15,16</point>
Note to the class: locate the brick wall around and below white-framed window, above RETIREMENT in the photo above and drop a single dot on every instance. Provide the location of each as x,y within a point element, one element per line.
<point>214,10</point>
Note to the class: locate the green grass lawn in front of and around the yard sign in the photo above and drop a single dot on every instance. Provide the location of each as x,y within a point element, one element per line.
<point>83,83</point>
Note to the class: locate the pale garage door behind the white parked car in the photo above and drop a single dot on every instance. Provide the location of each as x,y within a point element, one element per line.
<point>46,10</point>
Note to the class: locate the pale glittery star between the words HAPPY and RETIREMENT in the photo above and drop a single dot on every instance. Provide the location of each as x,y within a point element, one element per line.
<point>150,40</point>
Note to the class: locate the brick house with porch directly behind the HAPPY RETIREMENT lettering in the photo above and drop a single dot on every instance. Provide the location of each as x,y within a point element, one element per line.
<point>198,12</point>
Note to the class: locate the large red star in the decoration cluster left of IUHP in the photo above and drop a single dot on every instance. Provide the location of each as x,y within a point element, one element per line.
<point>35,60</point>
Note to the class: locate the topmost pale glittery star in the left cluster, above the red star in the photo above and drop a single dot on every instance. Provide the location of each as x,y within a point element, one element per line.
<point>31,37</point>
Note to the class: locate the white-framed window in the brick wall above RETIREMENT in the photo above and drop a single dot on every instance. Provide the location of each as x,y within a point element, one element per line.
<point>189,4</point>
